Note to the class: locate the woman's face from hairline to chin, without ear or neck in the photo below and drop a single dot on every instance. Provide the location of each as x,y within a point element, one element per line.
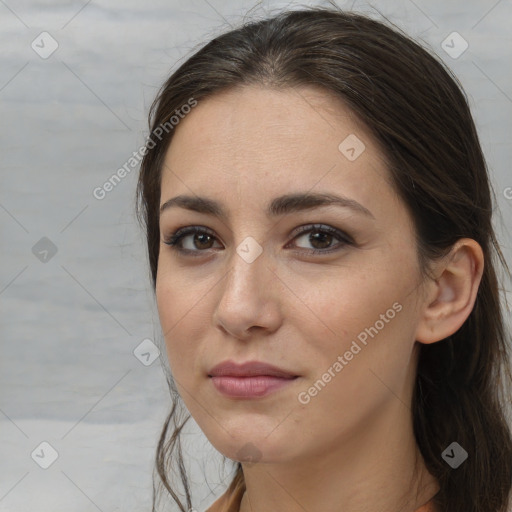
<point>250,287</point>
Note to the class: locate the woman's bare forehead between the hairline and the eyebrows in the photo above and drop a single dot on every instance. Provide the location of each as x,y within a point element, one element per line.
<point>264,140</point>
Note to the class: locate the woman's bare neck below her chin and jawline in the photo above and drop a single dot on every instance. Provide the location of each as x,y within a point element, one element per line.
<point>377,467</point>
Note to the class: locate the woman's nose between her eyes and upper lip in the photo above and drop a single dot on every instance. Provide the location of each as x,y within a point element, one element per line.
<point>249,303</point>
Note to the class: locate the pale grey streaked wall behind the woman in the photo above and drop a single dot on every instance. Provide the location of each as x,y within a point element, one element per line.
<point>69,326</point>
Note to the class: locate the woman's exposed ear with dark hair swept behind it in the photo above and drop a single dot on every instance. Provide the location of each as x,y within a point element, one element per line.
<point>449,299</point>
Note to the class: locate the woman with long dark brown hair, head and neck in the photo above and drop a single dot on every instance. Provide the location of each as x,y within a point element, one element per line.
<point>323,258</point>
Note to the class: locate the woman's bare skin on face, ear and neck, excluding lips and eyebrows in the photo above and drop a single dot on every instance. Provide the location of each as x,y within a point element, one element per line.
<point>352,446</point>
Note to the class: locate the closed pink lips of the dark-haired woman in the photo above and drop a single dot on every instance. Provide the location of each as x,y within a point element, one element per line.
<point>249,380</point>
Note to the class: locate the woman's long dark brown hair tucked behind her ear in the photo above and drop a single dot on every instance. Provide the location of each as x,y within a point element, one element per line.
<point>418,111</point>
